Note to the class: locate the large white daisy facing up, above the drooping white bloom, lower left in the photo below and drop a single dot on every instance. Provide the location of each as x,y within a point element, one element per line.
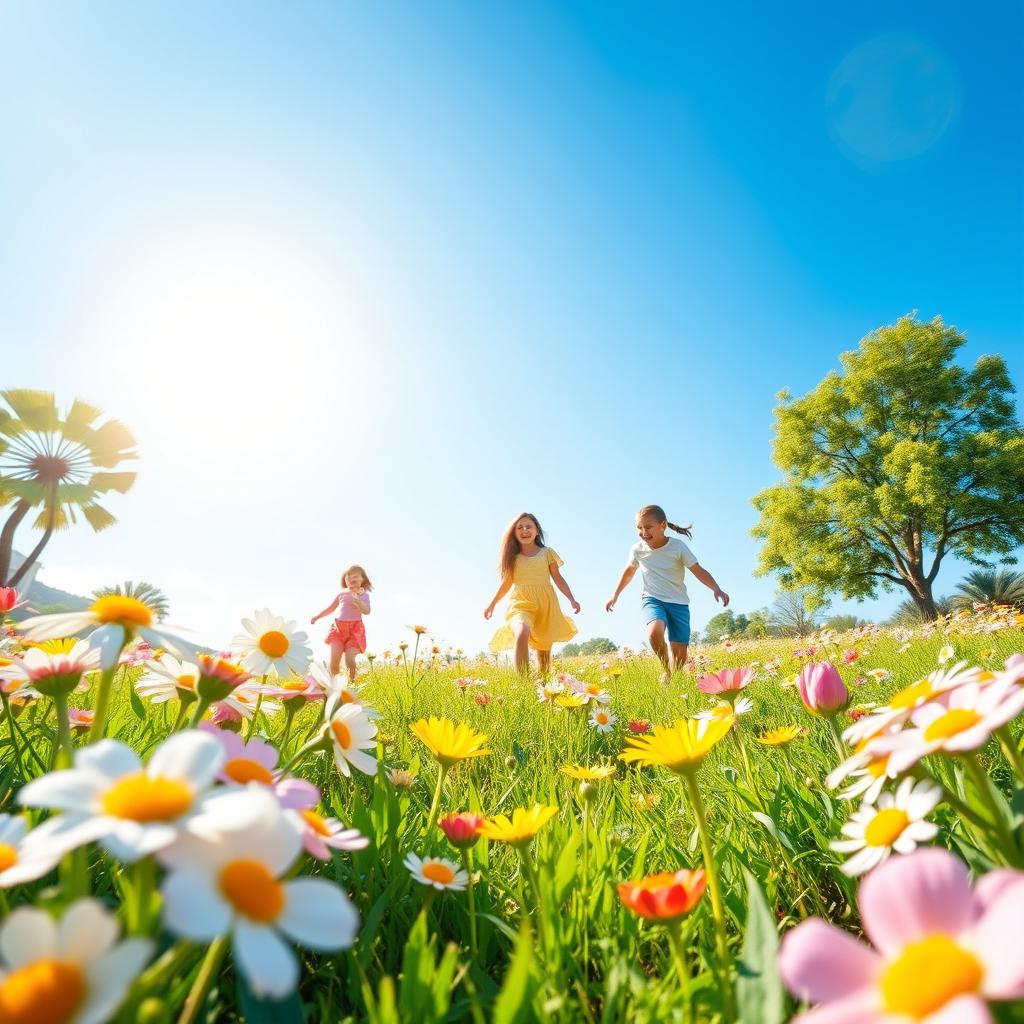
<point>132,810</point>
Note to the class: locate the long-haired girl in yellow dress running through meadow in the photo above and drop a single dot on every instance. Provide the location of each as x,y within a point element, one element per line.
<point>533,618</point>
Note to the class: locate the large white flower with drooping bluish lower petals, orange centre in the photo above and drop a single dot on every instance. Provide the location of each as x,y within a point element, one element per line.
<point>226,878</point>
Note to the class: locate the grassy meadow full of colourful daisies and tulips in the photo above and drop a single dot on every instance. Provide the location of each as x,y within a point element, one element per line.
<point>832,828</point>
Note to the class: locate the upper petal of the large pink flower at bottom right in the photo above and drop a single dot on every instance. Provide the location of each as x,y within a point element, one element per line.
<point>910,898</point>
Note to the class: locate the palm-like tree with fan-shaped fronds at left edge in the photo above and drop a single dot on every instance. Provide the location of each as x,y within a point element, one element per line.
<point>58,464</point>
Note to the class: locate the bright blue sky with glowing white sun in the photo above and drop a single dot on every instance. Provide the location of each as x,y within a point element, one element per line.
<point>368,281</point>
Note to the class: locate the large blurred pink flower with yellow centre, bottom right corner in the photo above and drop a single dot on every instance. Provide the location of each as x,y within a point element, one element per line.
<point>942,951</point>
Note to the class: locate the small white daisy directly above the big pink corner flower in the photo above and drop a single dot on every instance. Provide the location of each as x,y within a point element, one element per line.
<point>897,825</point>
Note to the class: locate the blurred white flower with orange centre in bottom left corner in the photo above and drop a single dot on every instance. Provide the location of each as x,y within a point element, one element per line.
<point>74,972</point>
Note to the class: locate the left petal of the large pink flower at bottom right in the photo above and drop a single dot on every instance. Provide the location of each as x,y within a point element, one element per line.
<point>821,963</point>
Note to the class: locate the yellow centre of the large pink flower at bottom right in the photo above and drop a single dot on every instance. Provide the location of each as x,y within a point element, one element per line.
<point>927,975</point>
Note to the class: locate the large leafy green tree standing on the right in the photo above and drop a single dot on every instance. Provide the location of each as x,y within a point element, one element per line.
<point>893,464</point>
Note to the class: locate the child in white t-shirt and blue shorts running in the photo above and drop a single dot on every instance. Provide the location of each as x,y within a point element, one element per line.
<point>663,563</point>
